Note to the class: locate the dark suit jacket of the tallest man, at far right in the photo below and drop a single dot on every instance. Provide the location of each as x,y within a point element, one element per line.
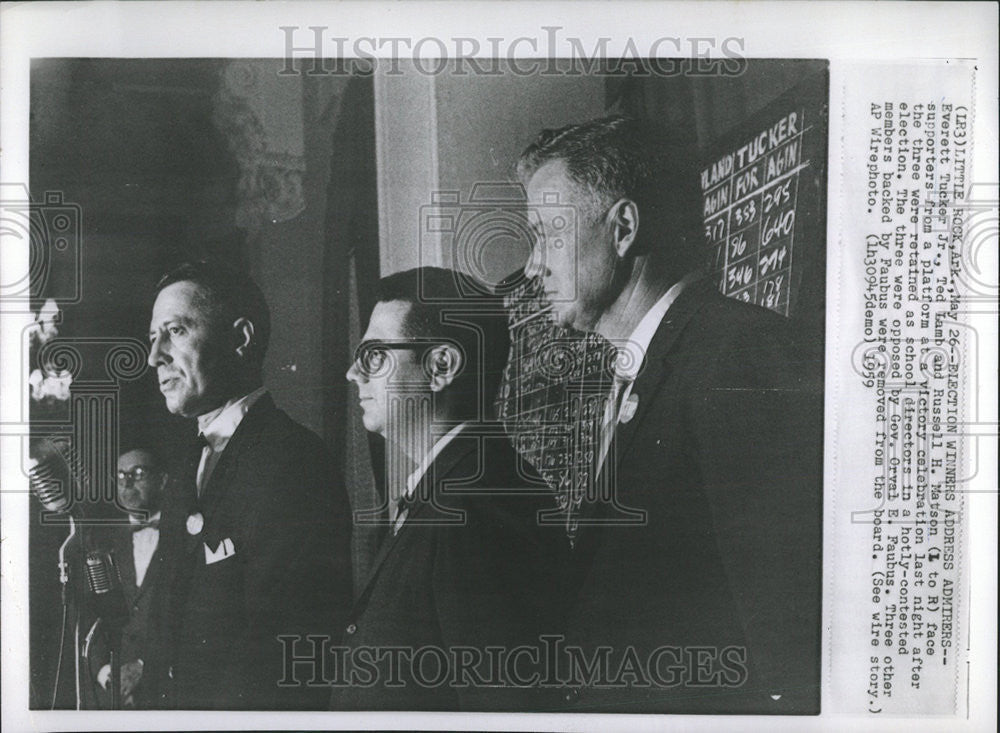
<point>724,457</point>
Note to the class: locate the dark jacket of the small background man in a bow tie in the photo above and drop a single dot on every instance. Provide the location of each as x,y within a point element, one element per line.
<point>140,601</point>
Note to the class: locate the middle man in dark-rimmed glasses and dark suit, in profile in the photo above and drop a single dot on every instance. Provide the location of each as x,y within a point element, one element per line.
<point>465,565</point>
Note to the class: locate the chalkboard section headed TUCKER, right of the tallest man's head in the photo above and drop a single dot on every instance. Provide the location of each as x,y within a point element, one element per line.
<point>763,200</point>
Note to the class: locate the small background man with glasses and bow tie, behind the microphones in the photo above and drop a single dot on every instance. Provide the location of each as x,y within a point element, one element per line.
<point>135,551</point>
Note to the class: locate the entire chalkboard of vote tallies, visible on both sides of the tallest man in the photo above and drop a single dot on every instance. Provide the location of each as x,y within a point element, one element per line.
<point>763,195</point>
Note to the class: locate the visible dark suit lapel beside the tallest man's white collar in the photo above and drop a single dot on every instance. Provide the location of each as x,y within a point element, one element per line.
<point>689,302</point>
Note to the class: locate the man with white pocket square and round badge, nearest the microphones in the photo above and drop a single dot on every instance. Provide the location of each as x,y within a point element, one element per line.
<point>255,530</point>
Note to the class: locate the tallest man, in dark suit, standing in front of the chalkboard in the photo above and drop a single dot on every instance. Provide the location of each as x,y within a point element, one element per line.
<point>711,442</point>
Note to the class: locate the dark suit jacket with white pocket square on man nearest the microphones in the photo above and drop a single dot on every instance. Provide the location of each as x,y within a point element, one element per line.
<point>272,495</point>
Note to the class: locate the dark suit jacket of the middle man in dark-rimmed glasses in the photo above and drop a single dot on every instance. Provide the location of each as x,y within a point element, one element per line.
<point>490,577</point>
